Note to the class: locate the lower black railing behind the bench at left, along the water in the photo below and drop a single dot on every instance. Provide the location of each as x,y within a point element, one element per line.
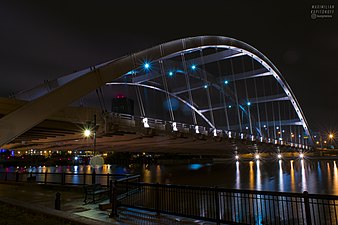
<point>64,178</point>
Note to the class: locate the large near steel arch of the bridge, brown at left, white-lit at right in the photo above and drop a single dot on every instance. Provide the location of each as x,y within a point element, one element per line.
<point>24,118</point>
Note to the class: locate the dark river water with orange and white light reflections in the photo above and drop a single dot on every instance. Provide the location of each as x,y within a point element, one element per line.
<point>314,176</point>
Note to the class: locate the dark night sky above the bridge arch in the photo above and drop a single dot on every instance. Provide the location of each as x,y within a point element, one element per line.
<point>47,39</point>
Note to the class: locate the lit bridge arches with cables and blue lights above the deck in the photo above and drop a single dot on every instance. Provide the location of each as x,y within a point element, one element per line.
<point>221,84</point>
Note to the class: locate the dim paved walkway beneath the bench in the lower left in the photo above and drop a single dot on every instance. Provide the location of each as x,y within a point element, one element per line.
<point>41,198</point>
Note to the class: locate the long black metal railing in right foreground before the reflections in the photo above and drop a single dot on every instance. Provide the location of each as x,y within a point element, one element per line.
<point>229,206</point>
